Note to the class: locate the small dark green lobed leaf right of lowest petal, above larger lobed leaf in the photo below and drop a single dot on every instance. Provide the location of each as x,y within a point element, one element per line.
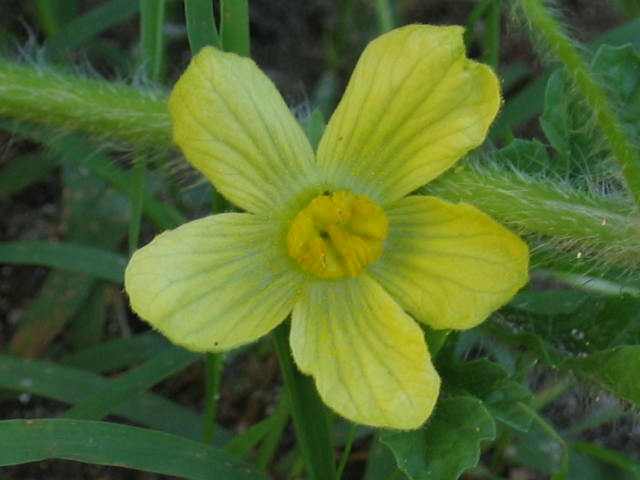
<point>489,382</point>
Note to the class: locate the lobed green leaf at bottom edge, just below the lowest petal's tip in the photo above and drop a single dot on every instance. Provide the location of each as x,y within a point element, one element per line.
<point>447,445</point>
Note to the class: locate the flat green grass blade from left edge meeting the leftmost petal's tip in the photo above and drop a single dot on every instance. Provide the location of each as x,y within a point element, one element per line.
<point>66,256</point>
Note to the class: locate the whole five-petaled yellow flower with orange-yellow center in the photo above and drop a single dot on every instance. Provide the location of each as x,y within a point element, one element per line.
<point>335,238</point>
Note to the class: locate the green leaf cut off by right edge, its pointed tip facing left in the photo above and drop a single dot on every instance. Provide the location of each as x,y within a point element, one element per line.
<point>617,370</point>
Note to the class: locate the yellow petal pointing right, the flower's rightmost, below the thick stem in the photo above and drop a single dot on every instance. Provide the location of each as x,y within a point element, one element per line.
<point>449,265</point>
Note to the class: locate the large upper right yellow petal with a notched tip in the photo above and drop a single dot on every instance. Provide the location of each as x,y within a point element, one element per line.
<point>414,106</point>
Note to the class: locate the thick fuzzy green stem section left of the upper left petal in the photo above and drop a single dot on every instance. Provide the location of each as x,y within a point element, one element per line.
<point>120,112</point>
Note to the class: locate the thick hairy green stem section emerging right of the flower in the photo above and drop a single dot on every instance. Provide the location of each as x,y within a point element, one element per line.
<point>540,206</point>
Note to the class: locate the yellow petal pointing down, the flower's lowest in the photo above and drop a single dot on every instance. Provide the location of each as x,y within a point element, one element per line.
<point>369,358</point>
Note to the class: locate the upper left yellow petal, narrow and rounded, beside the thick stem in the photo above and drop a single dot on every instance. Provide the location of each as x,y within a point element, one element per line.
<point>232,125</point>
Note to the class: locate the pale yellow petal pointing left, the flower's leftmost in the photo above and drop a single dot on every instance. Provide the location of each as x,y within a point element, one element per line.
<point>214,283</point>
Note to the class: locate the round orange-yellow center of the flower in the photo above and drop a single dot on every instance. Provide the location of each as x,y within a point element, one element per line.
<point>337,234</point>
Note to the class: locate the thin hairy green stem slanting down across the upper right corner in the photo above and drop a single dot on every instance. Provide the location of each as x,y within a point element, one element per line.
<point>562,46</point>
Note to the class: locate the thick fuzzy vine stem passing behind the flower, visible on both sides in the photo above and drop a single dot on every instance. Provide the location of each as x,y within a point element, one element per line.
<point>140,118</point>
